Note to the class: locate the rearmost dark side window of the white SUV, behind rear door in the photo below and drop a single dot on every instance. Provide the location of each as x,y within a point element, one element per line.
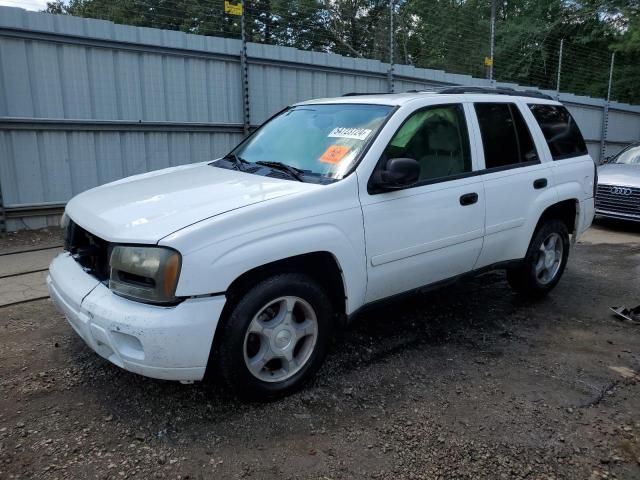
<point>560,130</point>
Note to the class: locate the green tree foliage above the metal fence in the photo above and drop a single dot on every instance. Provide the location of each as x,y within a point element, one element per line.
<point>451,35</point>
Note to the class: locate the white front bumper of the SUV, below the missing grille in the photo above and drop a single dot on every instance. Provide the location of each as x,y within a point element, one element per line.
<point>170,343</point>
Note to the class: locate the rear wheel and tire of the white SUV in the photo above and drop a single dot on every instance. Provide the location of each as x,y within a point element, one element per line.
<point>529,278</point>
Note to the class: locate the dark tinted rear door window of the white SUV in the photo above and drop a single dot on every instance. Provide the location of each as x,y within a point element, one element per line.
<point>505,136</point>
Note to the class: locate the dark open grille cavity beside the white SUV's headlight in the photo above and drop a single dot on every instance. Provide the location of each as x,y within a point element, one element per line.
<point>88,250</point>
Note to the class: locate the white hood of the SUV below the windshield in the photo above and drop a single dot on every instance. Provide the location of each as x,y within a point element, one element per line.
<point>145,208</point>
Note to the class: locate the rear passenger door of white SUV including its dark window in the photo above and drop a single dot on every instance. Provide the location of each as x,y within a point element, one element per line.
<point>516,180</point>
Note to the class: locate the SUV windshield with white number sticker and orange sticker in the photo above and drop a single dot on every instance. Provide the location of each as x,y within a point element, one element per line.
<point>317,139</point>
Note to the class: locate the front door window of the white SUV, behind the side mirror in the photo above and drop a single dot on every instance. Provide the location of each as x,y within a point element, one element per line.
<point>437,138</point>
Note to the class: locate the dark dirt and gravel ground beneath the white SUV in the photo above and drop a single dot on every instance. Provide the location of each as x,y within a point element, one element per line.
<point>466,382</point>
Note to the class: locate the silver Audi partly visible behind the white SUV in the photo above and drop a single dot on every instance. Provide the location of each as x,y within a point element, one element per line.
<point>618,194</point>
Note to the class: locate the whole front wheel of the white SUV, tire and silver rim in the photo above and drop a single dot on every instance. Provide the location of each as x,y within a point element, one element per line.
<point>281,352</point>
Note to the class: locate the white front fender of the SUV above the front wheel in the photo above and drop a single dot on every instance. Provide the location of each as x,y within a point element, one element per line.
<point>217,251</point>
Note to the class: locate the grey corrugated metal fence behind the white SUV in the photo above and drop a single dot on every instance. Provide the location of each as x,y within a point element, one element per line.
<point>84,102</point>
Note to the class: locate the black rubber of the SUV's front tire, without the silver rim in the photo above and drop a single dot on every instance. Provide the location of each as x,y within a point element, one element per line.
<point>231,350</point>
